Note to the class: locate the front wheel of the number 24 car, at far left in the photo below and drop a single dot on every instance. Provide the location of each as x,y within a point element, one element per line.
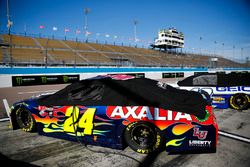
<point>25,120</point>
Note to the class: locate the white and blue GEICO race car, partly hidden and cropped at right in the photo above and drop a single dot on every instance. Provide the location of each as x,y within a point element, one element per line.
<point>226,90</point>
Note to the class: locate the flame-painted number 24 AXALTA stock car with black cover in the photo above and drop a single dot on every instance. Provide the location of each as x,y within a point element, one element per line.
<point>117,111</point>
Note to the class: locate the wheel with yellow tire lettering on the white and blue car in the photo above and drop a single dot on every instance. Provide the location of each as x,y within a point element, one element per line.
<point>239,101</point>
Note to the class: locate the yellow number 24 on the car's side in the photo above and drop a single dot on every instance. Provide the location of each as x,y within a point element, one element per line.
<point>86,121</point>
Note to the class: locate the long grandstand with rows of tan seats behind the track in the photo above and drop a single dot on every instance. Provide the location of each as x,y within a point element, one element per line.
<point>23,50</point>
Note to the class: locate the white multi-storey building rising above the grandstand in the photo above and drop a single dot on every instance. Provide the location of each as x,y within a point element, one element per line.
<point>169,39</point>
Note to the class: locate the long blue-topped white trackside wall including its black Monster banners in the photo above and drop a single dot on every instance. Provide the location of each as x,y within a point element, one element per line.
<point>57,75</point>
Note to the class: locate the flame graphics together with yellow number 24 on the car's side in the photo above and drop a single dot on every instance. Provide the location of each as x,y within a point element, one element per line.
<point>71,120</point>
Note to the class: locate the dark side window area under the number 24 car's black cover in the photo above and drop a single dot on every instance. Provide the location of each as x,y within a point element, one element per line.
<point>87,92</point>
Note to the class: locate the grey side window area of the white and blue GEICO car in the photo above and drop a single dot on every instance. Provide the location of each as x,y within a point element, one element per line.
<point>205,80</point>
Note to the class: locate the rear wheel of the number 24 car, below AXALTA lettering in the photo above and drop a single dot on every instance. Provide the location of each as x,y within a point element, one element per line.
<point>143,137</point>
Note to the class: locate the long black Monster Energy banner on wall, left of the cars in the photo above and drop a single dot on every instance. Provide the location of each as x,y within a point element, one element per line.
<point>43,80</point>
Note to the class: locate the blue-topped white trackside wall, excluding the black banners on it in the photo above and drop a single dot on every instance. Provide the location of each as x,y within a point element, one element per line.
<point>152,73</point>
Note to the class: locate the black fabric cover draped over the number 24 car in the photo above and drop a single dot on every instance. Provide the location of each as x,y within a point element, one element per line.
<point>106,91</point>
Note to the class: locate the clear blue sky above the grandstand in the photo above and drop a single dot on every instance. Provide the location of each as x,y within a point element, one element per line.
<point>224,21</point>
